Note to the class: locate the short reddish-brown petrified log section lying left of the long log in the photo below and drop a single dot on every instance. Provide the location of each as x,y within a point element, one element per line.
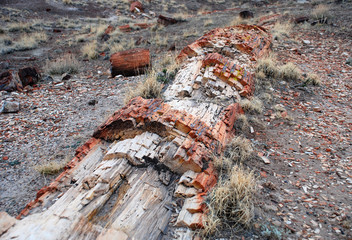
<point>130,62</point>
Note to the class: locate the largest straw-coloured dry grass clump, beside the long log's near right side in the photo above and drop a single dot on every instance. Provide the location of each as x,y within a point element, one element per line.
<point>231,202</point>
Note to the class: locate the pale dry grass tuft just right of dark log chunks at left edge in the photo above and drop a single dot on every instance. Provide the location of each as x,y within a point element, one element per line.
<point>66,64</point>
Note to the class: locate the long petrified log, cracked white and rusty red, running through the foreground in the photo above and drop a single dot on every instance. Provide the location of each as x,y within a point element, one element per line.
<point>146,170</point>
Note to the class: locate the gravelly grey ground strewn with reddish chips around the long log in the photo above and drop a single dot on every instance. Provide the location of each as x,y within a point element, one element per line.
<point>304,192</point>
